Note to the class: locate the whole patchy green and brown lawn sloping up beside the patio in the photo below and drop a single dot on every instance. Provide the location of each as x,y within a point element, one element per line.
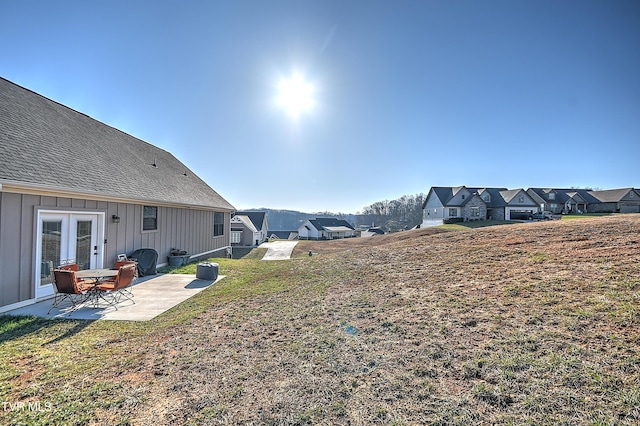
<point>532,323</point>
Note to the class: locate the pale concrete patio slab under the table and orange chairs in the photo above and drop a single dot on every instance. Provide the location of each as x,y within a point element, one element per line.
<point>153,295</point>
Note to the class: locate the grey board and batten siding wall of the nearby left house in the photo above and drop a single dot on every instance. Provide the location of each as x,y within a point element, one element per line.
<point>182,228</point>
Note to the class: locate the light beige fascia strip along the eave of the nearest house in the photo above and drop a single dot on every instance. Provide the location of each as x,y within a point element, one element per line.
<point>50,190</point>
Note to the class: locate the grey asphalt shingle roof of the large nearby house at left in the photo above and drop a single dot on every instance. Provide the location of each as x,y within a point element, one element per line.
<point>48,145</point>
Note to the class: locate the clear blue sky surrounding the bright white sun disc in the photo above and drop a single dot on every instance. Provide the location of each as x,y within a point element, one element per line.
<point>407,94</point>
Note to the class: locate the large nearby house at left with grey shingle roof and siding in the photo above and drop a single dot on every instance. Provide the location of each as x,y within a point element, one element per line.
<point>73,188</point>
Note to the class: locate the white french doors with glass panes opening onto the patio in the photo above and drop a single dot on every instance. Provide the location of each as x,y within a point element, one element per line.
<point>66,237</point>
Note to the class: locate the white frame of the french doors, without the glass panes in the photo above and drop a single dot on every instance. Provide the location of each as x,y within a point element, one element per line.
<point>69,220</point>
